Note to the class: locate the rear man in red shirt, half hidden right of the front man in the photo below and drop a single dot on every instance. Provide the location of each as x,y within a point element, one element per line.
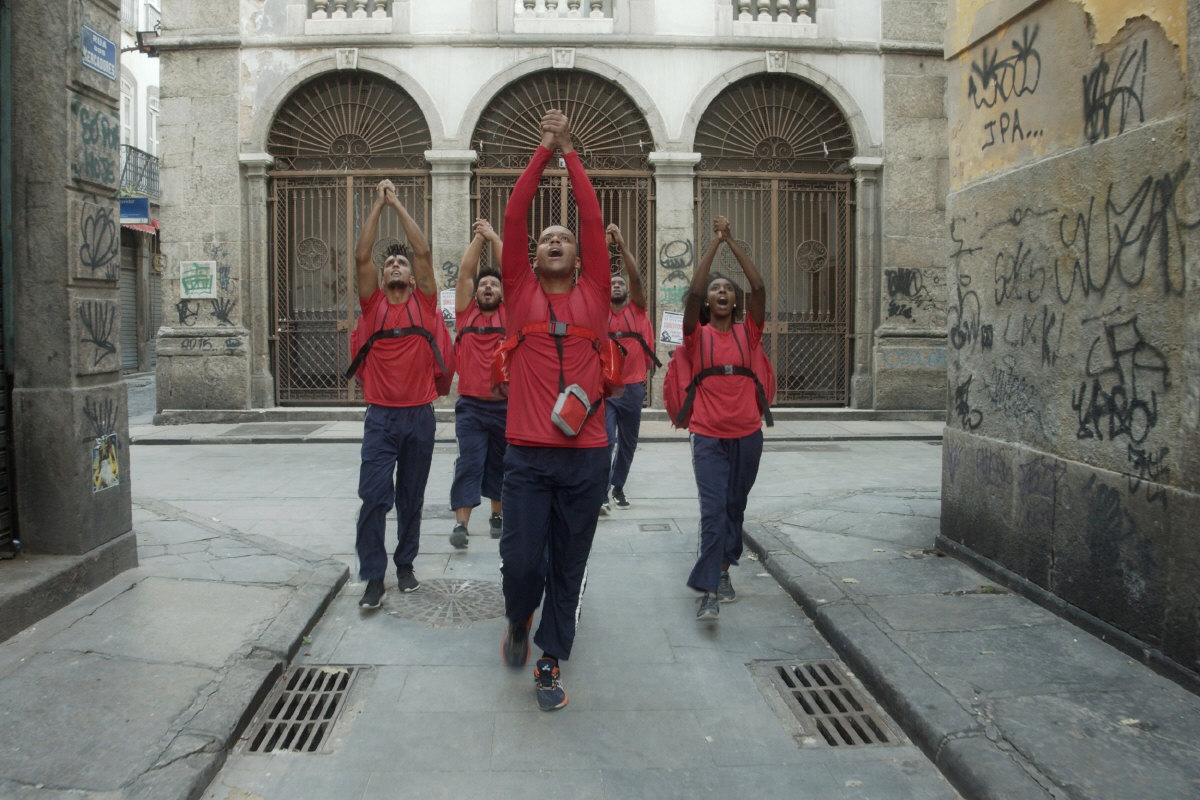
<point>631,327</point>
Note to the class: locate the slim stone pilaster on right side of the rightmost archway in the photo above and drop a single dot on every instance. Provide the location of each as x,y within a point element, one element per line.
<point>867,278</point>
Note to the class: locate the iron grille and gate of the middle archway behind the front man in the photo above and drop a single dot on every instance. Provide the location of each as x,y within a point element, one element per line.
<point>614,142</point>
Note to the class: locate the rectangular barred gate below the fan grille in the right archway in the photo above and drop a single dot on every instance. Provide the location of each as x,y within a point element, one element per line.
<point>797,233</point>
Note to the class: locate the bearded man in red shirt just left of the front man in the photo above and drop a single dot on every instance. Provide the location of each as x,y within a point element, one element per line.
<point>479,417</point>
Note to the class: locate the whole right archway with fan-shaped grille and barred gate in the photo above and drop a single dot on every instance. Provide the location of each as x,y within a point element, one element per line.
<point>776,161</point>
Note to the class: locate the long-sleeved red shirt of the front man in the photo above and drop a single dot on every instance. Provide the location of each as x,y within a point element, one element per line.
<point>533,377</point>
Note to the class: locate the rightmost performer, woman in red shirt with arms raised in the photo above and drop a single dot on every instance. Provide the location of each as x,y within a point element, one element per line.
<point>727,422</point>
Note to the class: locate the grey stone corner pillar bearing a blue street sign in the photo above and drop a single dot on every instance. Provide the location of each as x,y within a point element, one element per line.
<point>69,402</point>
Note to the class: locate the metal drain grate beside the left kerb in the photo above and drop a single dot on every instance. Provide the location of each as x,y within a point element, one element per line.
<point>302,711</point>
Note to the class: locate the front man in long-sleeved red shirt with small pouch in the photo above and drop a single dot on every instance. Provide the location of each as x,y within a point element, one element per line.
<point>554,483</point>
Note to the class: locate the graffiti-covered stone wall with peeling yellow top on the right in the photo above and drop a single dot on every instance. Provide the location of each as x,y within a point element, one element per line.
<point>1071,455</point>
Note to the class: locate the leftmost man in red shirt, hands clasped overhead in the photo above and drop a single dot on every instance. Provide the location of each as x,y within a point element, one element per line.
<point>397,375</point>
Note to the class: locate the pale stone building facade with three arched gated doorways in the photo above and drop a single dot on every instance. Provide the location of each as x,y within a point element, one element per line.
<point>818,128</point>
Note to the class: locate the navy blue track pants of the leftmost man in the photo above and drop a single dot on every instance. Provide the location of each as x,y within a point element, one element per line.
<point>397,442</point>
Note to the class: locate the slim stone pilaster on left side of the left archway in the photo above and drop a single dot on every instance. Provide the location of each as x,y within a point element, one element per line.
<point>261,320</point>
